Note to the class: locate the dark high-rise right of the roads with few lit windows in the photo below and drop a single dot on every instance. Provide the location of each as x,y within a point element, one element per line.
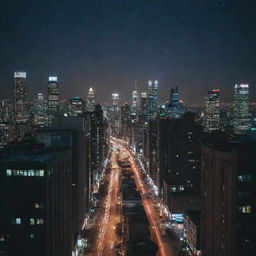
<point>179,162</point>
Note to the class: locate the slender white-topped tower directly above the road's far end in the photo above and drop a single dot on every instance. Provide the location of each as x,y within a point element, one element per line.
<point>115,115</point>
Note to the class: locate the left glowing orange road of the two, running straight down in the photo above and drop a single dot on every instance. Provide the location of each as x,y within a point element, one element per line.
<point>107,238</point>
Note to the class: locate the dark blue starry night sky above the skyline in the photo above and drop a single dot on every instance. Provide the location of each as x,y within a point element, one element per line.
<point>107,44</point>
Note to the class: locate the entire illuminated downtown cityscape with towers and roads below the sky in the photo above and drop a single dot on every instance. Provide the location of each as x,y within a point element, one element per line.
<point>139,178</point>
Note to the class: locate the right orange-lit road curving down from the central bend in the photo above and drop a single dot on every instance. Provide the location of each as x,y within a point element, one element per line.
<point>160,238</point>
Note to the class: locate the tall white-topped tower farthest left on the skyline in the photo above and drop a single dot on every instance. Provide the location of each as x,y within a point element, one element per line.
<point>21,111</point>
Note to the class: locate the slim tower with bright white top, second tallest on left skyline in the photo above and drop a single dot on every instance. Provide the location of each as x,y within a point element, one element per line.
<point>53,96</point>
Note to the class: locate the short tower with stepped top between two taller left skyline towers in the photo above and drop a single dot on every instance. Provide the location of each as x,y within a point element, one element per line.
<point>40,111</point>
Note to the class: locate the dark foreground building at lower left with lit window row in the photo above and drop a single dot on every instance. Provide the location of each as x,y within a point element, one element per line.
<point>35,195</point>
